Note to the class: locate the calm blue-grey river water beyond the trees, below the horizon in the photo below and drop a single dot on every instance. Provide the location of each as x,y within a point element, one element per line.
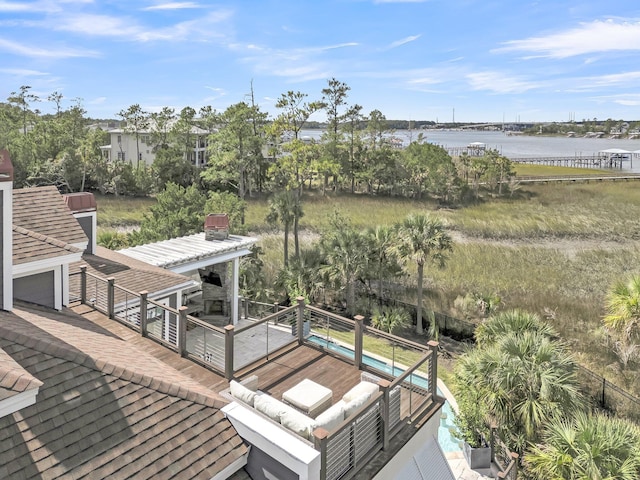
<point>514,146</point>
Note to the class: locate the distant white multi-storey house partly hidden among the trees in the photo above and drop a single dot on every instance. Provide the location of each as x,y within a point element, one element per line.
<point>122,146</point>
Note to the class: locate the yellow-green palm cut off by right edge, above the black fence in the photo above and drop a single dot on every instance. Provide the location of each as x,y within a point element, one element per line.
<point>623,310</point>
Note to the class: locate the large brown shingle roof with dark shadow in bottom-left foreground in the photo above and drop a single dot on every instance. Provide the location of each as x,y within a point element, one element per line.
<point>106,409</point>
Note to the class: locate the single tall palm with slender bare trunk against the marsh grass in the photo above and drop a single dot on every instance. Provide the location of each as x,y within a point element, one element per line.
<point>421,238</point>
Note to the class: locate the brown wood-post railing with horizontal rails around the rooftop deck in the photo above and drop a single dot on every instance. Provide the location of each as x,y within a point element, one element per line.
<point>406,371</point>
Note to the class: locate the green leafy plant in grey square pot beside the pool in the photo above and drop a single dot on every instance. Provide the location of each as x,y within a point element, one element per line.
<point>471,428</point>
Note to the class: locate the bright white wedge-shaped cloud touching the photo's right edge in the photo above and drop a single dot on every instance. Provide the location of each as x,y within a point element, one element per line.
<point>597,36</point>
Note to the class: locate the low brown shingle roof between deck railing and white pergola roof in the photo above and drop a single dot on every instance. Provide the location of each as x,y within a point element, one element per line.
<point>128,273</point>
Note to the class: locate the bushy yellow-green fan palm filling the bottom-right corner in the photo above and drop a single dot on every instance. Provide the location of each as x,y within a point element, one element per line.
<point>587,447</point>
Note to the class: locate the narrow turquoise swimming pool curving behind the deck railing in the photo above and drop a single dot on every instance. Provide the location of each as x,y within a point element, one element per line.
<point>448,442</point>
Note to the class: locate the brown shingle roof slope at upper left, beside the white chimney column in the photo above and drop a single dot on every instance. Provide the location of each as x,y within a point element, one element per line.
<point>43,210</point>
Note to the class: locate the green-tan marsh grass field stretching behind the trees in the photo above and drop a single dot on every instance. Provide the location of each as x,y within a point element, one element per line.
<point>550,249</point>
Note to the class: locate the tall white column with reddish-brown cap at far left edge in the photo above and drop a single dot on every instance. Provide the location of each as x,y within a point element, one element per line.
<point>6,231</point>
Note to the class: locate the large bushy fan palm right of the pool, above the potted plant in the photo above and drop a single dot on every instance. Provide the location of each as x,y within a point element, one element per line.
<point>524,379</point>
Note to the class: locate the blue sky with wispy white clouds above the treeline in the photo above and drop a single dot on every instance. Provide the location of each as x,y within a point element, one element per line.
<point>472,60</point>
